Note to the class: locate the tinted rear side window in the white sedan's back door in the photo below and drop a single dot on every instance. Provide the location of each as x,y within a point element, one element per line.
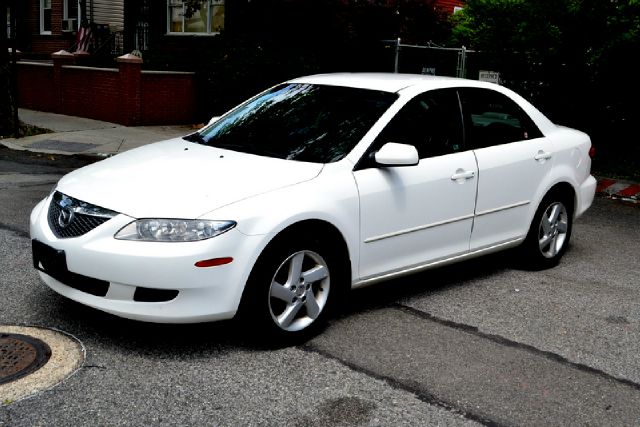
<point>491,118</point>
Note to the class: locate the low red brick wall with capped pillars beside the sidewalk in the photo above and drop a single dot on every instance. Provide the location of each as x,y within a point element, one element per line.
<point>125,95</point>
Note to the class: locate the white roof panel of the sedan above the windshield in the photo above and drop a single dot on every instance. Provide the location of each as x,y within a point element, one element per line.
<point>386,82</point>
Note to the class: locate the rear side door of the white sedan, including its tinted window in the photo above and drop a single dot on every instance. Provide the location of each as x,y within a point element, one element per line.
<point>513,157</point>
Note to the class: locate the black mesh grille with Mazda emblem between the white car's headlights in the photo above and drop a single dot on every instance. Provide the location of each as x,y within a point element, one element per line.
<point>69,217</point>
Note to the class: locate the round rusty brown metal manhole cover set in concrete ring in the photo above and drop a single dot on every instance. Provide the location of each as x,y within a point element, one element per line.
<point>21,355</point>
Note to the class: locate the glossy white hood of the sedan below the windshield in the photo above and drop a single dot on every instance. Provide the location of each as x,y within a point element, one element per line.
<point>180,179</point>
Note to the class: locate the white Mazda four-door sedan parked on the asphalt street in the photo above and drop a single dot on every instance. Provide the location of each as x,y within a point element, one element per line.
<point>321,184</point>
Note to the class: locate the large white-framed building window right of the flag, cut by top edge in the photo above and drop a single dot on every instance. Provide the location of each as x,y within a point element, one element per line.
<point>195,16</point>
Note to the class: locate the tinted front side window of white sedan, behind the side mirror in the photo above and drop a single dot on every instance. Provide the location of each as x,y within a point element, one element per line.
<point>431,122</point>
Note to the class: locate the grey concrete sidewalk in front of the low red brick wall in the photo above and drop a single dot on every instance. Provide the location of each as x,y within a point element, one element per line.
<point>77,135</point>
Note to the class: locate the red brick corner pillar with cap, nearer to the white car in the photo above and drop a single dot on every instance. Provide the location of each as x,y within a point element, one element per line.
<point>131,89</point>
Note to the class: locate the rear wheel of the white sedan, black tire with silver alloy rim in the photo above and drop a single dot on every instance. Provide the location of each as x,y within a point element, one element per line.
<point>549,233</point>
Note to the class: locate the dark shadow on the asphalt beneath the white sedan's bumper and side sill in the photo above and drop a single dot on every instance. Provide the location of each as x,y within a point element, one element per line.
<point>98,330</point>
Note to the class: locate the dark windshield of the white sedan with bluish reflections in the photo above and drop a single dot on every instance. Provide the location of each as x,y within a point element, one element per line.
<point>311,123</point>
